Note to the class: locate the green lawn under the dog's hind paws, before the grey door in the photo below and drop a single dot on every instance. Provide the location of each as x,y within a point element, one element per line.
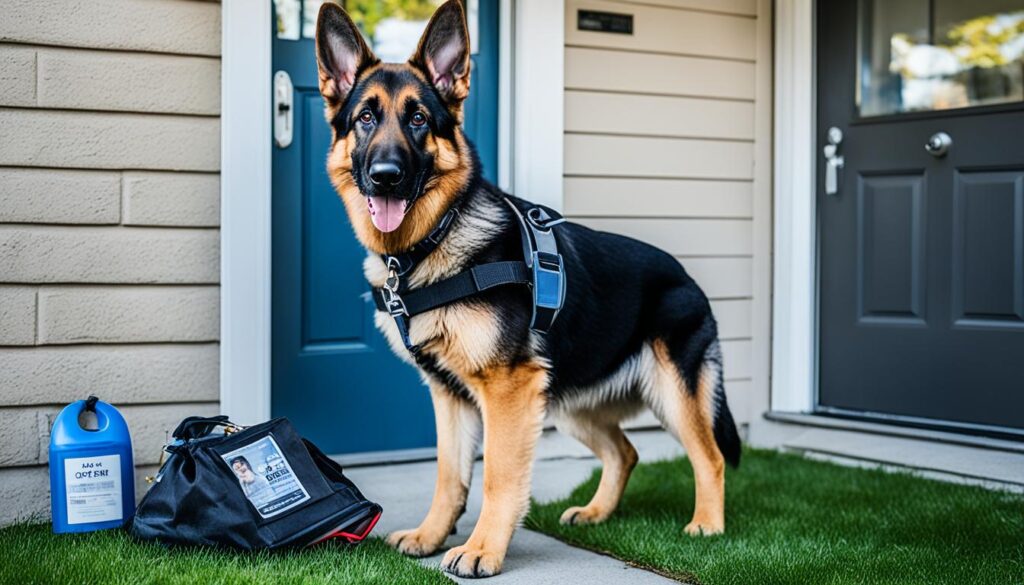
<point>791,520</point>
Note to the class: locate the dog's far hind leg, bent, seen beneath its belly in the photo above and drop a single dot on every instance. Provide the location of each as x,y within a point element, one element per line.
<point>601,432</point>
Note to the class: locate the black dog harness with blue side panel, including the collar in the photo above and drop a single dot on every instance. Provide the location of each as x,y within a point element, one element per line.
<point>542,270</point>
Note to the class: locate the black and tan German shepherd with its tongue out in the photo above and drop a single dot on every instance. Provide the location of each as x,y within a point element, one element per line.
<point>635,330</point>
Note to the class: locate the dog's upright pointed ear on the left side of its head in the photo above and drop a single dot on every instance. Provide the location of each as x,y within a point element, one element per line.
<point>342,55</point>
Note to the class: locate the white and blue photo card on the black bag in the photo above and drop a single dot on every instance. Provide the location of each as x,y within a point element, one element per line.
<point>267,477</point>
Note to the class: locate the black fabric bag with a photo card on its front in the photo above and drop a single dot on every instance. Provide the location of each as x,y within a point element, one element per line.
<point>254,488</point>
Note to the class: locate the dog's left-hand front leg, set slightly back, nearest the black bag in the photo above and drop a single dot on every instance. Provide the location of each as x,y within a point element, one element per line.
<point>458,434</point>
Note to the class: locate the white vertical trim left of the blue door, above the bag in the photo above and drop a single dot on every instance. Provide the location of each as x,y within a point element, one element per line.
<point>245,212</point>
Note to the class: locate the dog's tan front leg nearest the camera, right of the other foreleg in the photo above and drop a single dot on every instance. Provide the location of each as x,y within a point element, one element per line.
<point>513,401</point>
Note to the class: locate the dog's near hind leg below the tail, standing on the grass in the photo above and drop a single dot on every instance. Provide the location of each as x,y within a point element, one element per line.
<point>690,412</point>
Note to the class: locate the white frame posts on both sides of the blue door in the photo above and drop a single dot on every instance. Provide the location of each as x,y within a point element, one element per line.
<point>531,127</point>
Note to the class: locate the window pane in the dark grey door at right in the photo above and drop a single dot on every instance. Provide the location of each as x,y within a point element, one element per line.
<point>940,55</point>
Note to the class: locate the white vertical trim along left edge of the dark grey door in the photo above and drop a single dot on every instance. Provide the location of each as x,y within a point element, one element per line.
<point>795,296</point>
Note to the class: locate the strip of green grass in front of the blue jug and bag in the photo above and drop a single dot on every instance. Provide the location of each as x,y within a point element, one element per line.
<point>31,554</point>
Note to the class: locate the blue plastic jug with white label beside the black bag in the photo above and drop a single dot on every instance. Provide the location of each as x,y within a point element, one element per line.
<point>93,477</point>
